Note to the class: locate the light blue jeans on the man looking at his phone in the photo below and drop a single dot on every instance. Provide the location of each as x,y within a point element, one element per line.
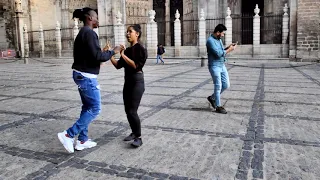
<point>220,79</point>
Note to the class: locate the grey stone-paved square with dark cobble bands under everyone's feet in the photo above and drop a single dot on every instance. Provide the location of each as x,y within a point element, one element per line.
<point>271,131</point>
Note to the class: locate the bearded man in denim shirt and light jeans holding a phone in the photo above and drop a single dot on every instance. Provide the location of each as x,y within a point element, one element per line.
<point>216,64</point>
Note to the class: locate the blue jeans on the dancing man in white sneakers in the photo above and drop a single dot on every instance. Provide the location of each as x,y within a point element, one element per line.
<point>91,105</point>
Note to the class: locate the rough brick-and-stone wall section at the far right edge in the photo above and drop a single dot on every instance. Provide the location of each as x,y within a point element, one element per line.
<point>308,29</point>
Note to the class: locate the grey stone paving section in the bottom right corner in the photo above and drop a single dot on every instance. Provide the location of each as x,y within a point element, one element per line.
<point>291,162</point>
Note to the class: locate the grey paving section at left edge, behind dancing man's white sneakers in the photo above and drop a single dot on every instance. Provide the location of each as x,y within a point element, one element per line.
<point>43,138</point>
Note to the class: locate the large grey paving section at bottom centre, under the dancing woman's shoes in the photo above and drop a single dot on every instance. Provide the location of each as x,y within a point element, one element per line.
<point>201,155</point>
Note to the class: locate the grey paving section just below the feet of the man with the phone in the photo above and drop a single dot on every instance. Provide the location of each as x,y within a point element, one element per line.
<point>206,121</point>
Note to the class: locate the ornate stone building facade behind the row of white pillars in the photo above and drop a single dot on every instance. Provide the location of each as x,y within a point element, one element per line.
<point>304,18</point>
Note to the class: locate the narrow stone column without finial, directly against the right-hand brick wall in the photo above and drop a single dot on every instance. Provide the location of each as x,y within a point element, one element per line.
<point>293,29</point>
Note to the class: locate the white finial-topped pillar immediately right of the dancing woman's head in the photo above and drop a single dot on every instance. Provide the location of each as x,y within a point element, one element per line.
<point>152,34</point>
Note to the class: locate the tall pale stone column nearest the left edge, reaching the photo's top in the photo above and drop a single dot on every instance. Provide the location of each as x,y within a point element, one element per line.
<point>19,16</point>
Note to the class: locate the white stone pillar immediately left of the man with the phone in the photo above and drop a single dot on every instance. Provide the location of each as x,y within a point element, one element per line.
<point>202,34</point>
